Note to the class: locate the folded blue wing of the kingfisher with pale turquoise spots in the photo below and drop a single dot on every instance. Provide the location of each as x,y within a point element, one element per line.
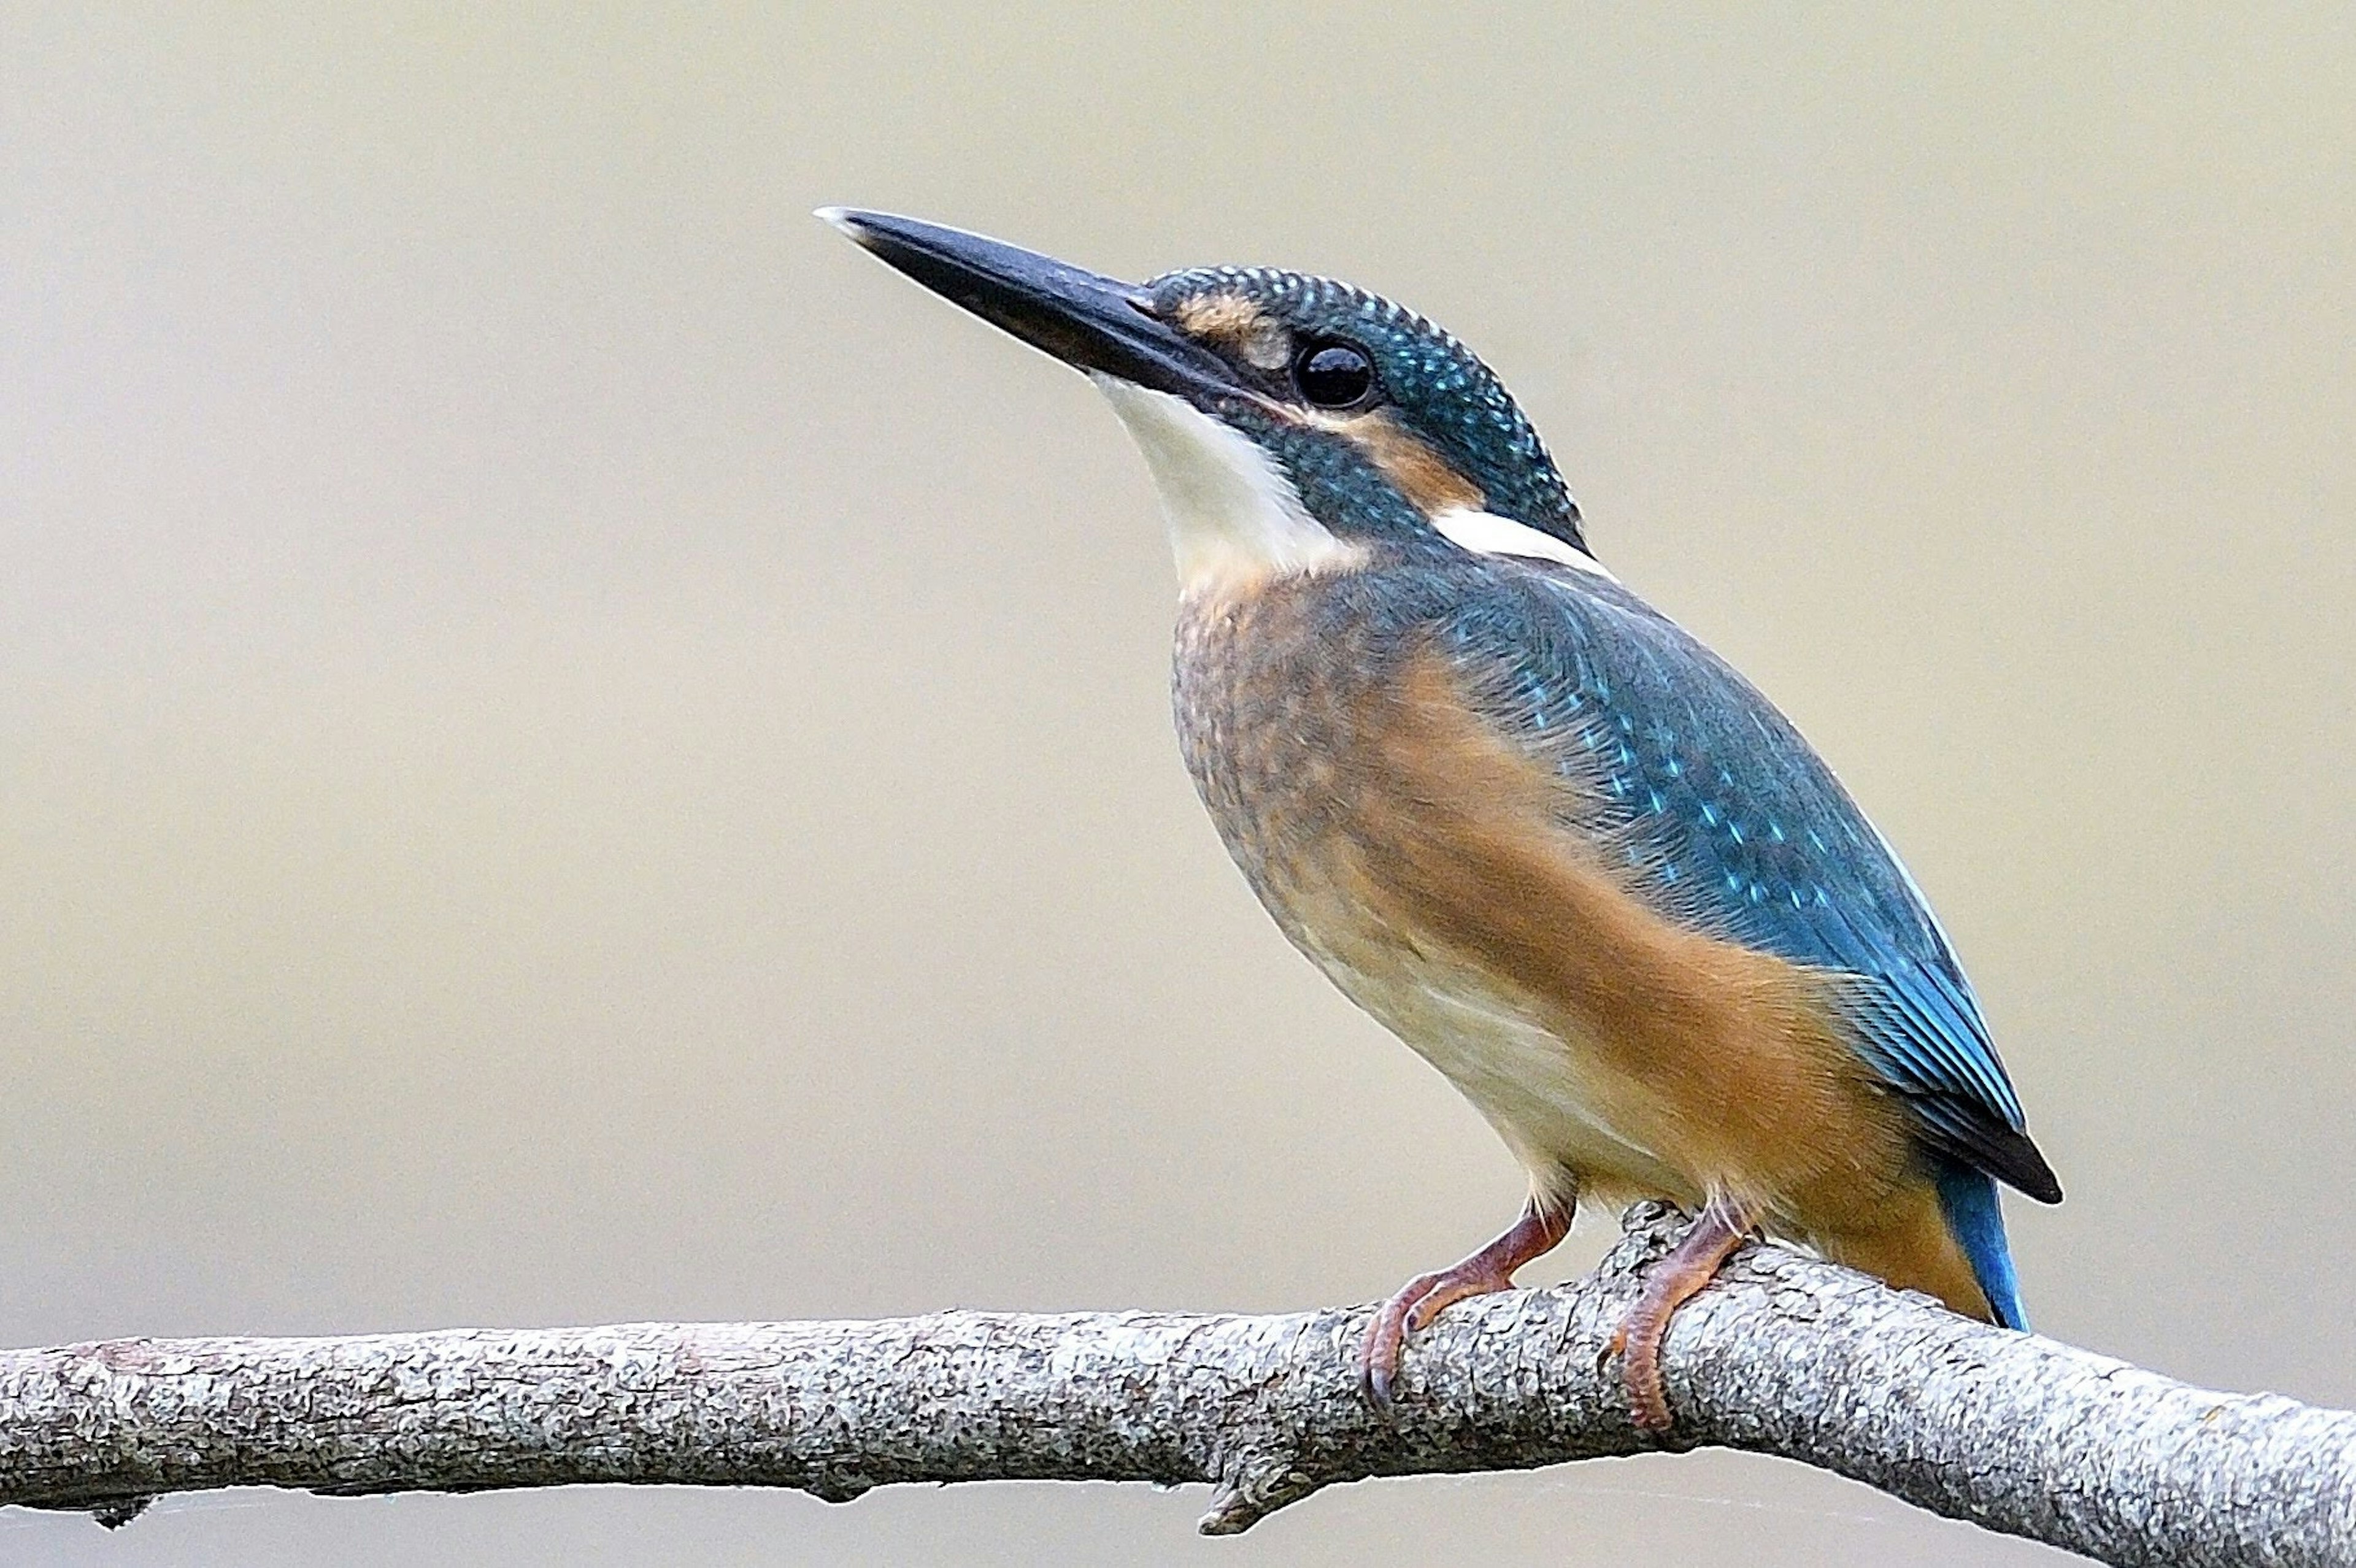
<point>1735,823</point>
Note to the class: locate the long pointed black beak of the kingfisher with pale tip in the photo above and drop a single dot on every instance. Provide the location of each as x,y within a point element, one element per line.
<point>1087,321</point>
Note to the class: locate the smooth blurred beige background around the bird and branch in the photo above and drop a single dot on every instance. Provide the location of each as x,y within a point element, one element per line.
<point>576,750</point>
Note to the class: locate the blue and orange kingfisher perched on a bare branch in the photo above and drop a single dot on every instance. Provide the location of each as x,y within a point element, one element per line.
<point>1516,813</point>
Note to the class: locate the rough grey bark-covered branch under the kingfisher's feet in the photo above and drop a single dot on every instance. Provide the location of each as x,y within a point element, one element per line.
<point>1785,1355</point>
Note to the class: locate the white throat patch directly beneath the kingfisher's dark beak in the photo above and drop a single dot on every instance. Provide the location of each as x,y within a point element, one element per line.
<point>1231,512</point>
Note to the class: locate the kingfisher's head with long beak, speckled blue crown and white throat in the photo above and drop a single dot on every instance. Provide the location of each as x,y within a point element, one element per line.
<point>1292,423</point>
